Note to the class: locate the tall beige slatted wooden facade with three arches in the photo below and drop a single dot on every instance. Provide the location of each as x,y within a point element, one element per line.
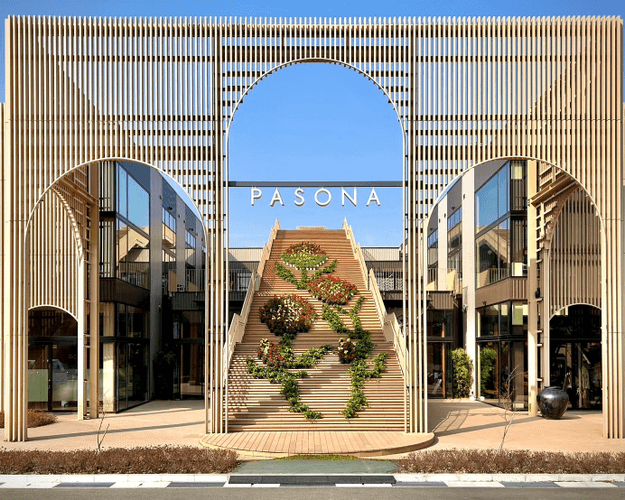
<point>81,92</point>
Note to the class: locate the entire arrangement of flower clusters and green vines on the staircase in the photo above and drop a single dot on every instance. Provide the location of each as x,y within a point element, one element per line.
<point>289,314</point>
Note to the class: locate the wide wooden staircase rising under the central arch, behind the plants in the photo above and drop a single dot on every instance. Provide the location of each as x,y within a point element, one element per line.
<point>257,405</point>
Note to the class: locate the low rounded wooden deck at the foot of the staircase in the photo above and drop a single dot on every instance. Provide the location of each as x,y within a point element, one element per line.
<point>285,443</point>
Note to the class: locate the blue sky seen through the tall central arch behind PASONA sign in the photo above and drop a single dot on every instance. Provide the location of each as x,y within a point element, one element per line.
<point>330,126</point>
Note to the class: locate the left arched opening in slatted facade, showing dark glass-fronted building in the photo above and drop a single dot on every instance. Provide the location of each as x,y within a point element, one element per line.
<point>119,245</point>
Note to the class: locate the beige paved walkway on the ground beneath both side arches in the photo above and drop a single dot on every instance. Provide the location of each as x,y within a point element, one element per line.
<point>456,425</point>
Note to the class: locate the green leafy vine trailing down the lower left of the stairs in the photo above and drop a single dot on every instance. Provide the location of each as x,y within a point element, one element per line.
<point>279,373</point>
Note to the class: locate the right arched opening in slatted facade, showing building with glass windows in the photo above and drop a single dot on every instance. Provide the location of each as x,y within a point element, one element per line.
<point>503,249</point>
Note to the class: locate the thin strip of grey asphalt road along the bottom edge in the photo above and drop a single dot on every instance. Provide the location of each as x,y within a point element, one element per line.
<point>312,493</point>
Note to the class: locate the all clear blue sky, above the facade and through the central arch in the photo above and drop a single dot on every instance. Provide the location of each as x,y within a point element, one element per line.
<point>311,122</point>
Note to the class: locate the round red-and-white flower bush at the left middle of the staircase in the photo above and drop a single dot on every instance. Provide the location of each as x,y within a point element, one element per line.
<point>288,314</point>
